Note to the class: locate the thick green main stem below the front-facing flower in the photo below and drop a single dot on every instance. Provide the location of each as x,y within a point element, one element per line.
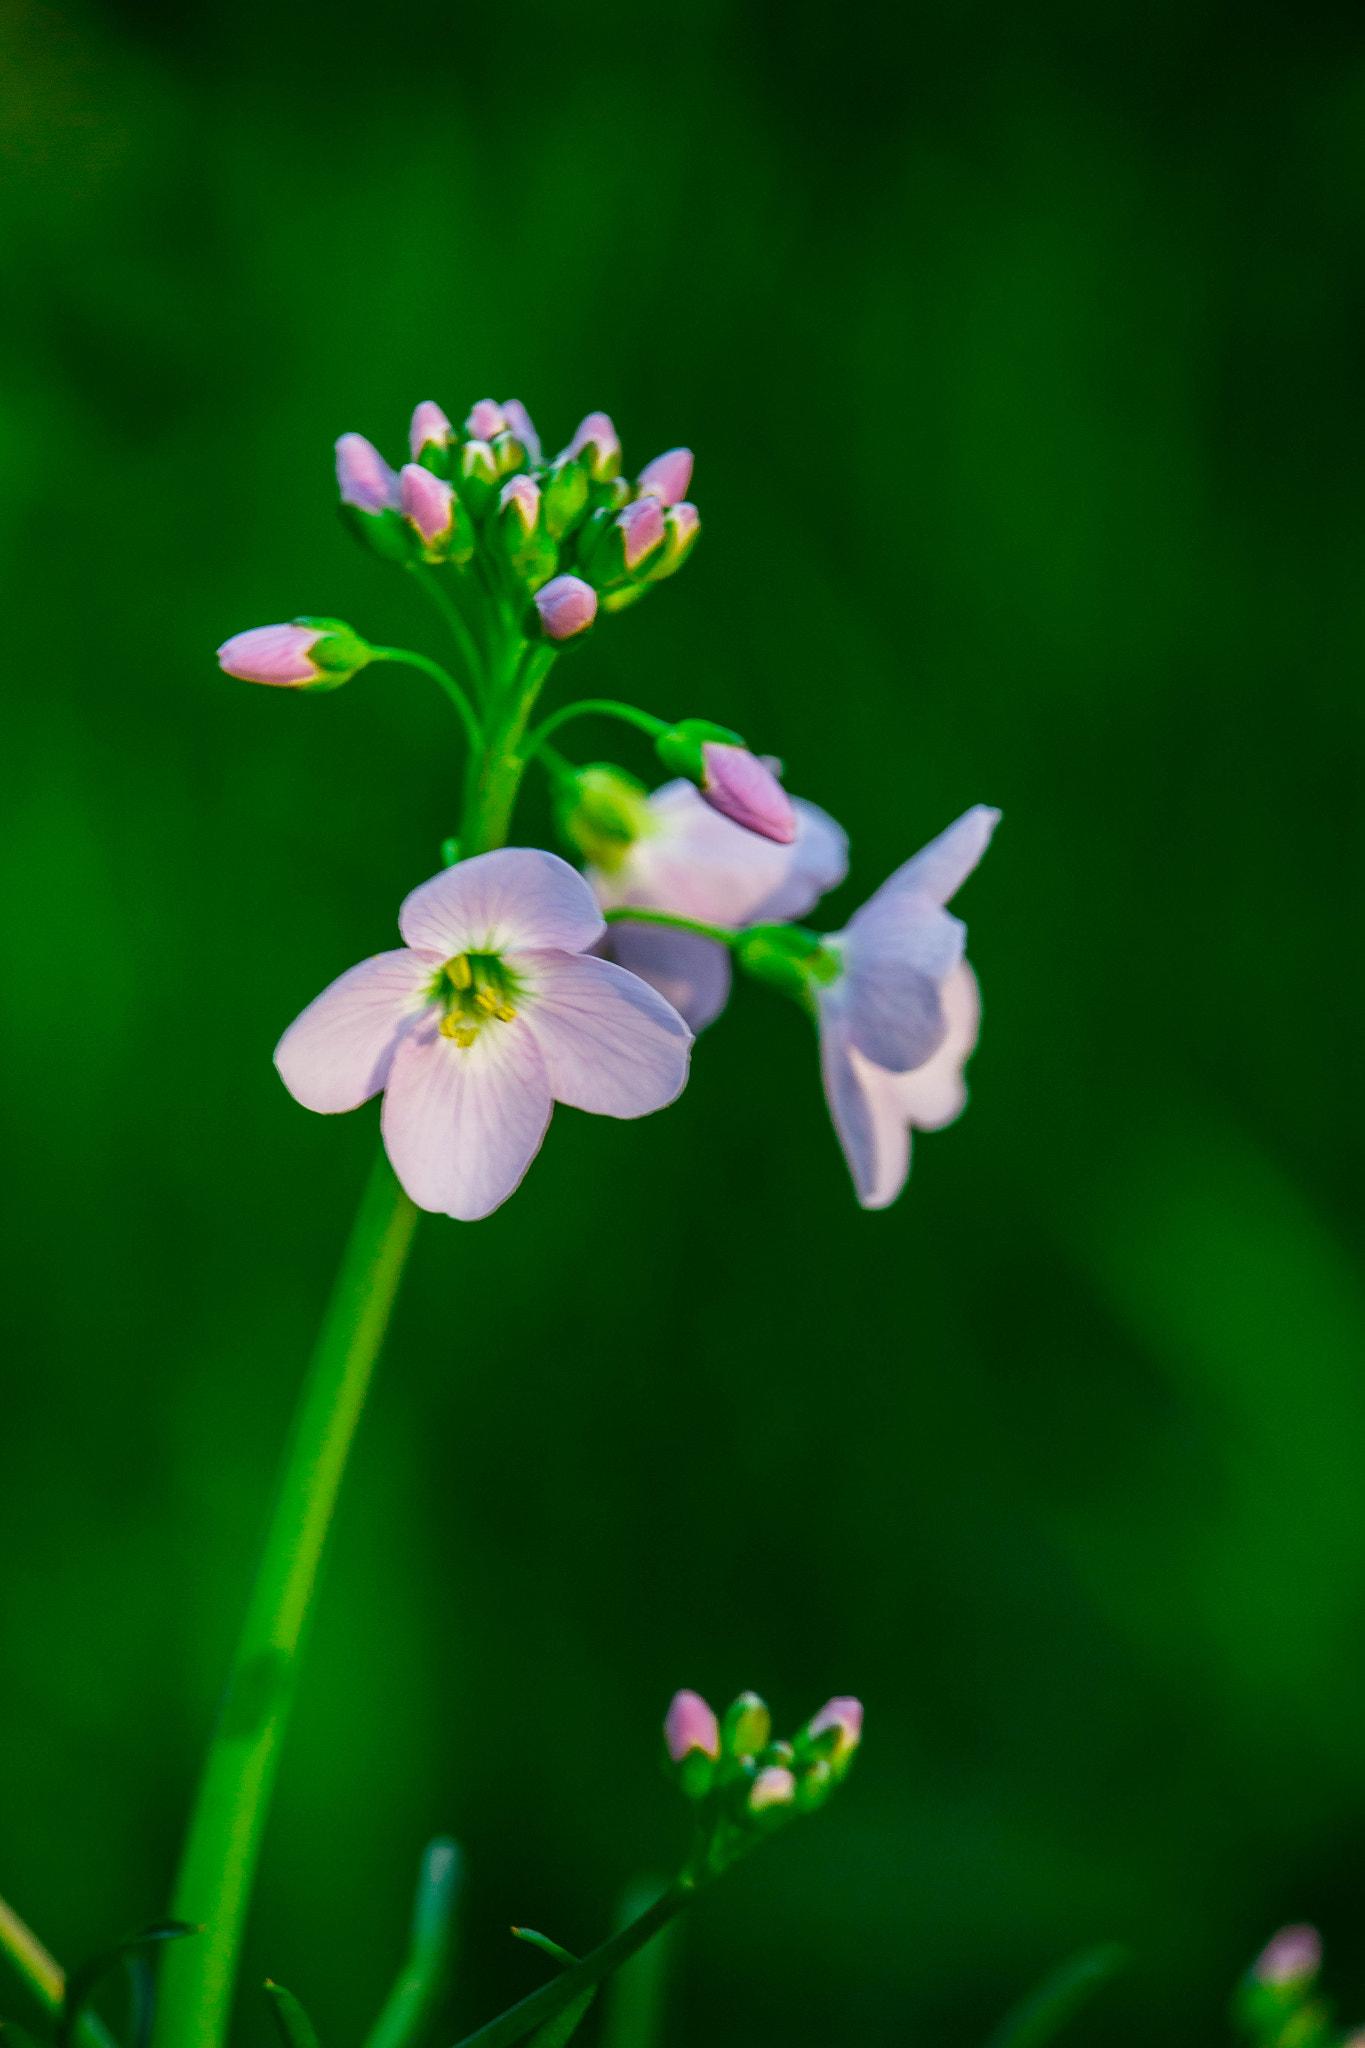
<point>234,1795</point>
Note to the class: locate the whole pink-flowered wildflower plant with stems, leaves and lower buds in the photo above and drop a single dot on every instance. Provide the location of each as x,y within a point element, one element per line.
<point>529,978</point>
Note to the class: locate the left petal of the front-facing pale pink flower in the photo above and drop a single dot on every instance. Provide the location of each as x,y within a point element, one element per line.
<point>337,1054</point>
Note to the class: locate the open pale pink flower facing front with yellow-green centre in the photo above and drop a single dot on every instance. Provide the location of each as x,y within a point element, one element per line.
<point>480,1025</point>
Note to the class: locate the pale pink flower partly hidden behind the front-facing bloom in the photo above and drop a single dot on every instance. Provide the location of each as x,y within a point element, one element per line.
<point>699,863</point>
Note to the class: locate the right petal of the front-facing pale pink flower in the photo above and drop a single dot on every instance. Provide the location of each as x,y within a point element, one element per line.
<point>609,1041</point>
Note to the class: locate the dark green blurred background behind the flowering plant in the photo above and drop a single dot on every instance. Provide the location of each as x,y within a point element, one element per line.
<point>1022,357</point>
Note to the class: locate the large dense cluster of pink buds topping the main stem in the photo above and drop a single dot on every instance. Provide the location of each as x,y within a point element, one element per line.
<point>568,536</point>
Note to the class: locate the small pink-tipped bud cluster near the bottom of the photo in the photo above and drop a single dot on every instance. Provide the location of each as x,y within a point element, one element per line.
<point>742,1781</point>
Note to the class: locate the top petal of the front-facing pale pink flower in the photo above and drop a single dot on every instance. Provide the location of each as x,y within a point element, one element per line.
<point>504,902</point>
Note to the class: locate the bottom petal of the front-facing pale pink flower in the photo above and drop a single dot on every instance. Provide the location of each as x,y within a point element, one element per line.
<point>464,1123</point>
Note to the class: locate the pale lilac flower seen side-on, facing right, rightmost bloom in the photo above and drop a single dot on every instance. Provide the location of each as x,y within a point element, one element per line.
<point>901,1017</point>
